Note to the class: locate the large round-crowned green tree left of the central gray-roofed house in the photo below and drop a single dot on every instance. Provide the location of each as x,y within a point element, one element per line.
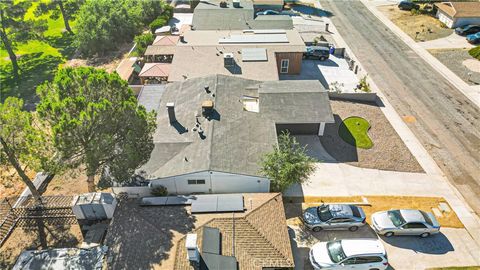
<point>96,122</point>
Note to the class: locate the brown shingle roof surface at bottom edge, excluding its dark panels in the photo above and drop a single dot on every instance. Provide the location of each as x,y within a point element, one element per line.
<point>258,244</point>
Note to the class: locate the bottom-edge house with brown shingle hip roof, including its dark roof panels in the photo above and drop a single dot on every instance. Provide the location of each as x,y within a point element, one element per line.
<point>256,240</point>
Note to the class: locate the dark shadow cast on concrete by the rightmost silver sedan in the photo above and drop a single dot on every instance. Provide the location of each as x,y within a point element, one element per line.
<point>435,244</point>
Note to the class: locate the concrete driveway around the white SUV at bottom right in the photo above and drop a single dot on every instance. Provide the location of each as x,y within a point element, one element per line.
<point>452,247</point>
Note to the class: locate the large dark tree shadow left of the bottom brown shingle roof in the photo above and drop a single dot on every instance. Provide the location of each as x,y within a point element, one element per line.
<point>141,237</point>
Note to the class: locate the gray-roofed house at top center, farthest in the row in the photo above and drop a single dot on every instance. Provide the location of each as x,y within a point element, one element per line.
<point>211,16</point>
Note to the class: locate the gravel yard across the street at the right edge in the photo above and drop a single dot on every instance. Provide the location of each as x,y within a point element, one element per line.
<point>453,59</point>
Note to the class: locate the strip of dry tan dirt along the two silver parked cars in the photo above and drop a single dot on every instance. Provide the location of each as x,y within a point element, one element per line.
<point>378,203</point>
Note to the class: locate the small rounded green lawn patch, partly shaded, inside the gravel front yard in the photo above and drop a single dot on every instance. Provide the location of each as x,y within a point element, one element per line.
<point>354,131</point>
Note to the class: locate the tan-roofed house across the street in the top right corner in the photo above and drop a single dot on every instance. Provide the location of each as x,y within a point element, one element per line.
<point>454,14</point>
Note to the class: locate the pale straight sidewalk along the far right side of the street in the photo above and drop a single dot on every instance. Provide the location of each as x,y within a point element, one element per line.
<point>471,92</point>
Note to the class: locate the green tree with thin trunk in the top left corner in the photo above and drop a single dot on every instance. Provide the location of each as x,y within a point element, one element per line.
<point>15,29</point>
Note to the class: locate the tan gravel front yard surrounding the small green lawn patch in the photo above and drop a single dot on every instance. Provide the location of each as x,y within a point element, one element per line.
<point>388,151</point>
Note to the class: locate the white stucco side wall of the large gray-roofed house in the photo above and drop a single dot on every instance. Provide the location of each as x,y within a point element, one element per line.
<point>215,182</point>
